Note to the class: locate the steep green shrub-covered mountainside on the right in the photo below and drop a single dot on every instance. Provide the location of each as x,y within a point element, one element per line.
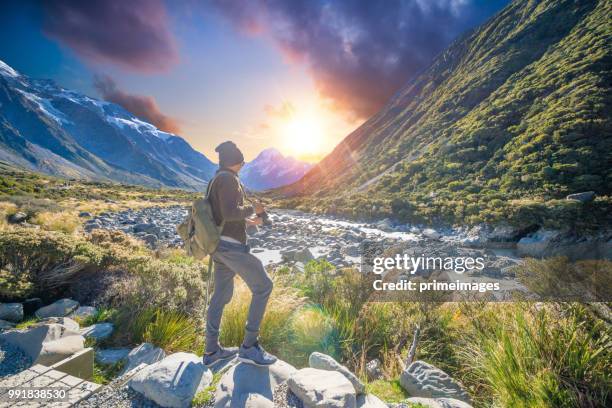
<point>505,123</point>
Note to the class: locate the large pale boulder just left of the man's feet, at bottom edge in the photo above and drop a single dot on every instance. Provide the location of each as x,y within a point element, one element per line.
<point>173,381</point>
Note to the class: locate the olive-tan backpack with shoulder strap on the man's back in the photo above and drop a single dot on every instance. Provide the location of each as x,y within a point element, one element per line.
<point>199,231</point>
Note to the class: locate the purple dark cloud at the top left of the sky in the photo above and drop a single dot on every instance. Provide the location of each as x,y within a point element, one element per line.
<point>133,34</point>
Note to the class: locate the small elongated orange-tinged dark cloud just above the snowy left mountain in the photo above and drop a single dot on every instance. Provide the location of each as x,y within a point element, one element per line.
<point>143,107</point>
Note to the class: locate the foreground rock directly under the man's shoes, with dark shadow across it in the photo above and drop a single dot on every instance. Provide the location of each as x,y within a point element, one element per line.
<point>242,380</point>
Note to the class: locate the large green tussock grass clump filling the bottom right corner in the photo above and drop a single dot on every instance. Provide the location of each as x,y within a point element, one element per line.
<point>539,356</point>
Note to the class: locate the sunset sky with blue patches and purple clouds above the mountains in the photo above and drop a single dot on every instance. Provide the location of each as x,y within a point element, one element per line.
<point>297,75</point>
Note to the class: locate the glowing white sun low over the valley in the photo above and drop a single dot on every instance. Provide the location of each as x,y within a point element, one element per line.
<point>303,136</point>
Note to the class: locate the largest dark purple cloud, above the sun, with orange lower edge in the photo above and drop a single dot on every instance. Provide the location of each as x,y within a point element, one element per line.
<point>359,52</point>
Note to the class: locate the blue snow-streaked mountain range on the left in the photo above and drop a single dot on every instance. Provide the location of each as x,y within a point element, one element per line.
<point>46,128</point>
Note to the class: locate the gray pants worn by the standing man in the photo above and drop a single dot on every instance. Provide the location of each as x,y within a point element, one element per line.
<point>231,260</point>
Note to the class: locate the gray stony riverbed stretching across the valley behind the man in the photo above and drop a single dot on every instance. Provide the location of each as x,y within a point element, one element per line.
<point>297,237</point>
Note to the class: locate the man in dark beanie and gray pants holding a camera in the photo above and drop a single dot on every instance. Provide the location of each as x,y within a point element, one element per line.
<point>232,257</point>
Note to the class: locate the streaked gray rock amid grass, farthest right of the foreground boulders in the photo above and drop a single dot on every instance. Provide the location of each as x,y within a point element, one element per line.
<point>421,379</point>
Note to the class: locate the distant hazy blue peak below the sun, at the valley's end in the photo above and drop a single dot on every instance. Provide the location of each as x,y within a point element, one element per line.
<point>270,169</point>
